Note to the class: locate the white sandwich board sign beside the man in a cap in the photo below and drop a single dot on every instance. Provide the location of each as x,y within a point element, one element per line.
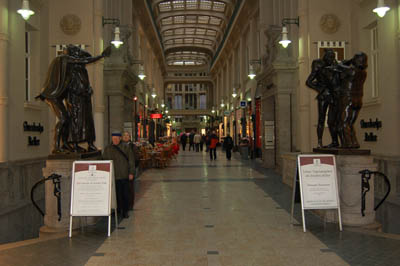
<point>93,191</point>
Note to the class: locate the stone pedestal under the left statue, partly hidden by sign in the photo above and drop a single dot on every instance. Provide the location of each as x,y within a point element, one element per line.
<point>57,165</point>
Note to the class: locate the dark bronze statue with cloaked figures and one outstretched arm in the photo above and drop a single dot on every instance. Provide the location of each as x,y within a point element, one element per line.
<point>68,92</point>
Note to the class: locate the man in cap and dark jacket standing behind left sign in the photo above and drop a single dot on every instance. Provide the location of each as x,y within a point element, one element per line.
<point>124,167</point>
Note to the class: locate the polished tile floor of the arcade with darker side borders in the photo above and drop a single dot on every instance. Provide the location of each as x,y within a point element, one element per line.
<point>215,213</point>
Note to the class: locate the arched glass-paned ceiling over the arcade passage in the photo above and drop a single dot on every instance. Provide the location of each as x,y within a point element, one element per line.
<point>191,30</point>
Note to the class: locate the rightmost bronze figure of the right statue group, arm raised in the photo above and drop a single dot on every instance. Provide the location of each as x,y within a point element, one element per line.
<point>353,75</point>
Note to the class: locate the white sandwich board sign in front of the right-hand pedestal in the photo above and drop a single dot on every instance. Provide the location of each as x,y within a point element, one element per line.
<point>317,177</point>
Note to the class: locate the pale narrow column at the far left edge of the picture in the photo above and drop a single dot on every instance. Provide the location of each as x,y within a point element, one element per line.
<point>4,9</point>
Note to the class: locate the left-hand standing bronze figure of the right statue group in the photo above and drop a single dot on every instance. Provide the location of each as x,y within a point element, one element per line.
<point>323,80</point>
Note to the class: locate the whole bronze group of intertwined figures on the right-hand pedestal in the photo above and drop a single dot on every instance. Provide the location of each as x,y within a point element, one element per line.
<point>340,90</point>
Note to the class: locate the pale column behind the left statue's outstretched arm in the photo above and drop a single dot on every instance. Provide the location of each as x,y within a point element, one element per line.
<point>99,108</point>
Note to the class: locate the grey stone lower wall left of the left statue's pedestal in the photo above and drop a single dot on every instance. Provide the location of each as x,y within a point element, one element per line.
<point>19,219</point>
